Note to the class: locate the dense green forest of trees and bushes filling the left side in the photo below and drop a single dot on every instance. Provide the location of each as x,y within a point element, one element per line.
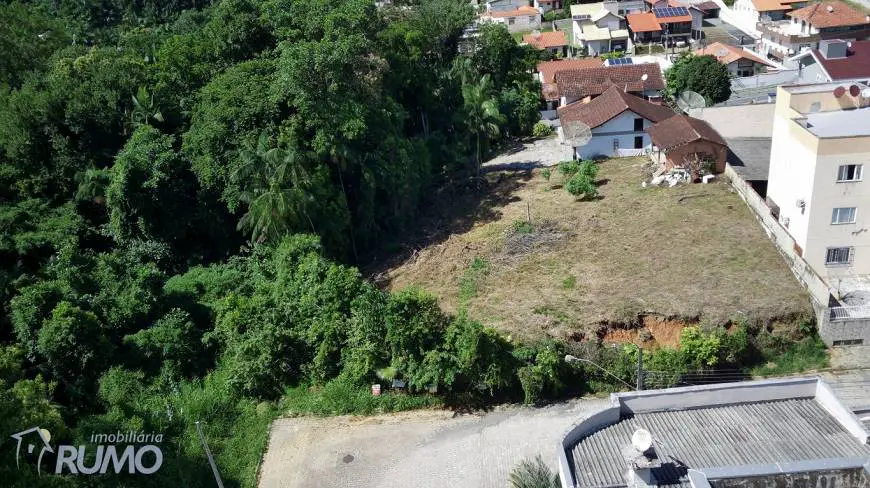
<point>185,188</point>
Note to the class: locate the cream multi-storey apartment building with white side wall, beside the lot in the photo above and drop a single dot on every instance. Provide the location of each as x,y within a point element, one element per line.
<point>820,151</point>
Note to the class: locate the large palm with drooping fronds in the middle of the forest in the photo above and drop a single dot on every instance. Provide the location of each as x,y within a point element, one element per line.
<point>272,186</point>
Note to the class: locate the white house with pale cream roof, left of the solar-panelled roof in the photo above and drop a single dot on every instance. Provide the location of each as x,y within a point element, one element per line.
<point>598,28</point>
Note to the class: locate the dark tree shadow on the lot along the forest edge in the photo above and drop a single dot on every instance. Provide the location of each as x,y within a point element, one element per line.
<point>454,208</point>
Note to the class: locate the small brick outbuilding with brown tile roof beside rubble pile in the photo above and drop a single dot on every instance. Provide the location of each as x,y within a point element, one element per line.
<point>682,141</point>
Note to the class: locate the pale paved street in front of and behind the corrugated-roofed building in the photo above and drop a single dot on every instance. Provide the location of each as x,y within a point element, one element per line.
<point>435,450</point>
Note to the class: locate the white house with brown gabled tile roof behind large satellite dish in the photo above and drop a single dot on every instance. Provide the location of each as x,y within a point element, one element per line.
<point>617,121</point>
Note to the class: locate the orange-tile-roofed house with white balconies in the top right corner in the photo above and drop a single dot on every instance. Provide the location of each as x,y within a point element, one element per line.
<point>805,27</point>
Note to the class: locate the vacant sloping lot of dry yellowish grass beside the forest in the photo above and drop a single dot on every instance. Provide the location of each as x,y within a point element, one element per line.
<point>691,252</point>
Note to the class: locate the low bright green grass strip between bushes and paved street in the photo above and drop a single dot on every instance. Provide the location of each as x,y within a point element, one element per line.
<point>339,398</point>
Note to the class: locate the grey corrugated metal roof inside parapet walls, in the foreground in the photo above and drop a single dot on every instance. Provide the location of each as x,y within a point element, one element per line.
<point>734,435</point>
